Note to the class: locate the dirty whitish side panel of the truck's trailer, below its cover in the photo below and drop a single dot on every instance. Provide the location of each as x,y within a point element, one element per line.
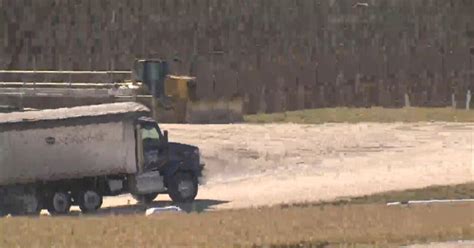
<point>67,152</point>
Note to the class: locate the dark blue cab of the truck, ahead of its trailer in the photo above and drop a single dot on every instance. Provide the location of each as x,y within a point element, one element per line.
<point>178,164</point>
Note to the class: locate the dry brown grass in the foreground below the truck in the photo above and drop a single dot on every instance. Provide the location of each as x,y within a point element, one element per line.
<point>368,222</point>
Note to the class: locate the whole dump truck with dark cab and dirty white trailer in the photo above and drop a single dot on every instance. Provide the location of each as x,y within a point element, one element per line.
<point>57,158</point>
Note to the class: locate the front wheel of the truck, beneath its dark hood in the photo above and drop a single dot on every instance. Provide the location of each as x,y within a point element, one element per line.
<point>183,187</point>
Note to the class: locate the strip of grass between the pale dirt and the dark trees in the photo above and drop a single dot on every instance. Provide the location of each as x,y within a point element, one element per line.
<point>354,115</point>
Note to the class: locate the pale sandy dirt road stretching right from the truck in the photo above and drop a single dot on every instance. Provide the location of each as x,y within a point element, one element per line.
<point>254,165</point>
